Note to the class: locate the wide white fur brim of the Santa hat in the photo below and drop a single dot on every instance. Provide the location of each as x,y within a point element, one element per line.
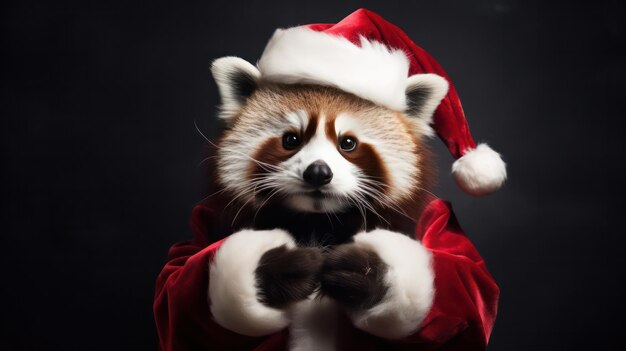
<point>371,71</point>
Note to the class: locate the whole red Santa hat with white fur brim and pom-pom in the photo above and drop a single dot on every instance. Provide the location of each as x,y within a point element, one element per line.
<point>365,55</point>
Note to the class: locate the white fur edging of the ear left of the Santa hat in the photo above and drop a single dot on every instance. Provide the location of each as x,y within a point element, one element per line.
<point>224,70</point>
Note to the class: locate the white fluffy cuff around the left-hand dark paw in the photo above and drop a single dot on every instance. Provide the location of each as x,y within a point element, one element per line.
<point>232,284</point>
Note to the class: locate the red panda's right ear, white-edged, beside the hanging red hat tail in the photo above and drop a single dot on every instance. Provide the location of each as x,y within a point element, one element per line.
<point>424,92</point>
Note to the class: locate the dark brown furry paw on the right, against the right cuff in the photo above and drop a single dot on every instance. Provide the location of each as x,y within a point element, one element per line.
<point>353,276</point>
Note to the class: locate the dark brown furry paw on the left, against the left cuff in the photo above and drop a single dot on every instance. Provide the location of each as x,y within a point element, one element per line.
<point>286,276</point>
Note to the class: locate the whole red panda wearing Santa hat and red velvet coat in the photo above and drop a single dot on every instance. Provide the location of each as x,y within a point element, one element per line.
<point>319,179</point>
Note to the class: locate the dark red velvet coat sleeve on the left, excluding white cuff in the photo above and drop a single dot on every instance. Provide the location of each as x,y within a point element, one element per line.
<point>181,306</point>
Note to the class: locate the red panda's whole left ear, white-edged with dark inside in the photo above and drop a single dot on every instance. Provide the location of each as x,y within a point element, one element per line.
<point>236,80</point>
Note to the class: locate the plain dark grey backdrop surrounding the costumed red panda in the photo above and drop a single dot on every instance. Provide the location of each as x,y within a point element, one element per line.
<point>100,155</point>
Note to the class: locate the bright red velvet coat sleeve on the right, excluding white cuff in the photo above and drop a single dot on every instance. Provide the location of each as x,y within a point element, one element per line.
<point>466,295</point>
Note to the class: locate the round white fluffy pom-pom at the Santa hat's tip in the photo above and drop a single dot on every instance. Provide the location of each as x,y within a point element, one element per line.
<point>480,171</point>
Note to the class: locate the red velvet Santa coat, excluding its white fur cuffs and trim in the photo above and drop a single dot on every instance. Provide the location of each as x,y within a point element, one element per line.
<point>461,318</point>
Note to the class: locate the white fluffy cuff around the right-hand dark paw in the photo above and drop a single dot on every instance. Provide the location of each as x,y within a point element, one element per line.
<point>410,279</point>
